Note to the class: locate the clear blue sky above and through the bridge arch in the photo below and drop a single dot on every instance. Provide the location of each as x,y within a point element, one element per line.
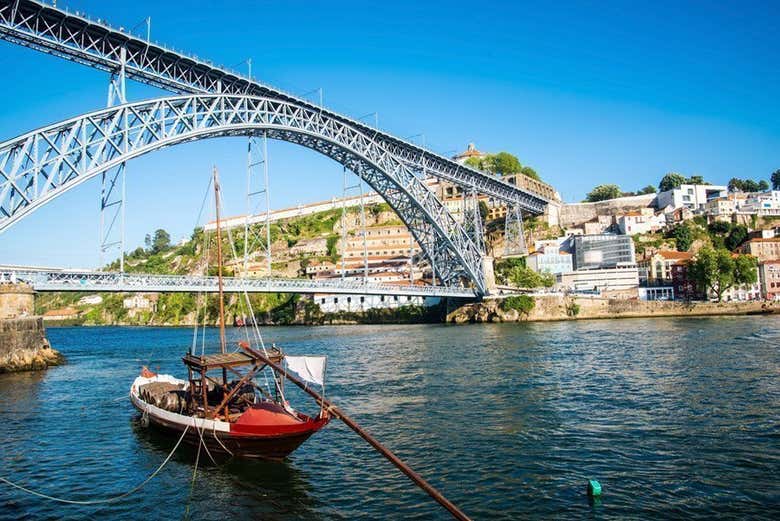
<point>586,93</point>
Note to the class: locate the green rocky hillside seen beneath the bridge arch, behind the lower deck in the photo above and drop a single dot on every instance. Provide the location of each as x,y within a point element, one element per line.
<point>294,243</point>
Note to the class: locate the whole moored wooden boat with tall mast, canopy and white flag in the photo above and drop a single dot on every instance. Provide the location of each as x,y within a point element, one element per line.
<point>236,416</point>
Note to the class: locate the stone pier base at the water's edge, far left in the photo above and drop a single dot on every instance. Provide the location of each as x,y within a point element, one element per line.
<point>23,346</point>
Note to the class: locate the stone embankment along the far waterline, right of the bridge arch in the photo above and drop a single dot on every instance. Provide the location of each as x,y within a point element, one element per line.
<point>559,307</point>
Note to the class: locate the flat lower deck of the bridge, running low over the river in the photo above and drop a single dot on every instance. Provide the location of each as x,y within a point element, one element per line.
<point>60,280</point>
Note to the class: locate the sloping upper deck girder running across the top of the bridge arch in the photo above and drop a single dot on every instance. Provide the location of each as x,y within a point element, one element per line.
<point>54,31</point>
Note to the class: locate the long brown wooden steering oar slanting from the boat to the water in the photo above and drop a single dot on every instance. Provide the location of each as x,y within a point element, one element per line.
<point>349,422</point>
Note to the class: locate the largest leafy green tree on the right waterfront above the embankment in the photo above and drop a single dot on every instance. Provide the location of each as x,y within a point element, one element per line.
<point>716,271</point>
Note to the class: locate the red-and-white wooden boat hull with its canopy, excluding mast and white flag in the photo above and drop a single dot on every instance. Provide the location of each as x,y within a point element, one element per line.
<point>234,421</point>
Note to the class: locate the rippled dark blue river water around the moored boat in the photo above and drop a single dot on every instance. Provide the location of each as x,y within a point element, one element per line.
<point>674,417</point>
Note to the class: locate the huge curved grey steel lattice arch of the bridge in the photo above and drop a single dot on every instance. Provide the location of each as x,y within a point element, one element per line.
<point>40,165</point>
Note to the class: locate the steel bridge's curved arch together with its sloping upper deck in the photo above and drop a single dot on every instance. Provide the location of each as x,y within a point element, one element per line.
<point>210,101</point>
